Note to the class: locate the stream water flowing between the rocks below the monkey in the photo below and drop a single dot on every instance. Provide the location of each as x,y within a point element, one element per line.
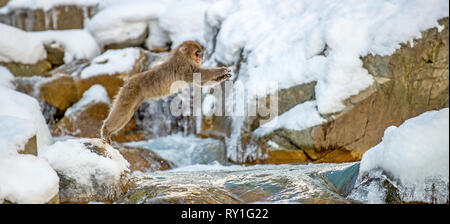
<point>203,175</point>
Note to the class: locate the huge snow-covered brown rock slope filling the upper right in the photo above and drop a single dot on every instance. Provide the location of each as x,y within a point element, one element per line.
<point>354,76</point>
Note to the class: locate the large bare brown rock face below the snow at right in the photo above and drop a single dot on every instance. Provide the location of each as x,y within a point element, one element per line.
<point>407,83</point>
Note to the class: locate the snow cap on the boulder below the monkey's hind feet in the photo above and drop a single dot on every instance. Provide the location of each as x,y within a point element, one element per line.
<point>74,160</point>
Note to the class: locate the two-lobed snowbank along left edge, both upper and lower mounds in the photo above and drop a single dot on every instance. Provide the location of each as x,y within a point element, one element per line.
<point>23,178</point>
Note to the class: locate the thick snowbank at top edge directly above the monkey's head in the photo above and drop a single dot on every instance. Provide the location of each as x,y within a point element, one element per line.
<point>169,21</point>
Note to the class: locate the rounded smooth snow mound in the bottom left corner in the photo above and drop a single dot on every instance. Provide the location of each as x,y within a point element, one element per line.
<point>26,179</point>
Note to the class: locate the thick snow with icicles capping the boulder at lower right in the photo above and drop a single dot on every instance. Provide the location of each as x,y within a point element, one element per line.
<point>416,154</point>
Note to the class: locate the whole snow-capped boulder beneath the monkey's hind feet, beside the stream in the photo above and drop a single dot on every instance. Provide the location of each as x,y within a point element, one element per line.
<point>89,170</point>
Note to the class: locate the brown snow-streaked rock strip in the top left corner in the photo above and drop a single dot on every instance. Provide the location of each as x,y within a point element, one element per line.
<point>58,18</point>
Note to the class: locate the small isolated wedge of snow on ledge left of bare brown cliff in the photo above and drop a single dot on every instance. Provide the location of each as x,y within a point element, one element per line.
<point>289,120</point>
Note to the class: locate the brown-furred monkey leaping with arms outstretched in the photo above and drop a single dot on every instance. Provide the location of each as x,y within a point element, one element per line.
<point>156,83</point>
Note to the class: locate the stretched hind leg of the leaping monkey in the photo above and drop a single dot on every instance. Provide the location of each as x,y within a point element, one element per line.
<point>123,108</point>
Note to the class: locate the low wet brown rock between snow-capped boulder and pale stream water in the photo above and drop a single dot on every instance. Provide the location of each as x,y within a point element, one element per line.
<point>144,160</point>
